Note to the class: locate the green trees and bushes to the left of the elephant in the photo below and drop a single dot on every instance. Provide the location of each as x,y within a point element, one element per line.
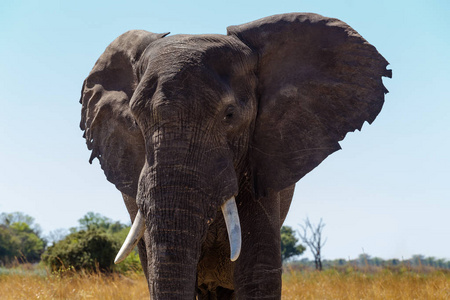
<point>90,246</point>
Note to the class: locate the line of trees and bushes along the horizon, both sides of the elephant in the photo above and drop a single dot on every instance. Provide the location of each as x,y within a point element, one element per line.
<point>93,244</point>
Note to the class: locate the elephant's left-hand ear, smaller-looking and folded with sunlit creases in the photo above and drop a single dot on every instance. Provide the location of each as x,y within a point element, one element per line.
<point>106,119</point>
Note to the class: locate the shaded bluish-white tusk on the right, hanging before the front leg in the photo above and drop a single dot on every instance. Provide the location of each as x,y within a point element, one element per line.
<point>231,216</point>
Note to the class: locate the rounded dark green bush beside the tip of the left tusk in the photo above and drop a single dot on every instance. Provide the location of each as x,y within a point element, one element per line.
<point>91,250</point>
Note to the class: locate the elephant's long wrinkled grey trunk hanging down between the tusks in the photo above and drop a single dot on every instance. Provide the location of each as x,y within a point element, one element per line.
<point>178,203</point>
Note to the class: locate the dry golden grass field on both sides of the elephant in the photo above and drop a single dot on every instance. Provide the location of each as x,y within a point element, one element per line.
<point>35,283</point>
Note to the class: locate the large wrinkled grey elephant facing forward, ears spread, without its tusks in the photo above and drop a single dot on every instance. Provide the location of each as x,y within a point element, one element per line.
<point>182,123</point>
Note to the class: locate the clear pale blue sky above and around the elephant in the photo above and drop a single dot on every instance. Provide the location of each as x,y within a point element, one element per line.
<point>387,193</point>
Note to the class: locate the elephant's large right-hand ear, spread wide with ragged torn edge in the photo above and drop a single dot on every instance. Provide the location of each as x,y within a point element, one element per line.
<point>318,80</point>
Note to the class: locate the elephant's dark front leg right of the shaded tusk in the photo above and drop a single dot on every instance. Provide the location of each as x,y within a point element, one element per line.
<point>258,270</point>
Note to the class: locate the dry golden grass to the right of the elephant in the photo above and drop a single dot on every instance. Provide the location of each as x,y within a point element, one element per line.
<point>383,284</point>
